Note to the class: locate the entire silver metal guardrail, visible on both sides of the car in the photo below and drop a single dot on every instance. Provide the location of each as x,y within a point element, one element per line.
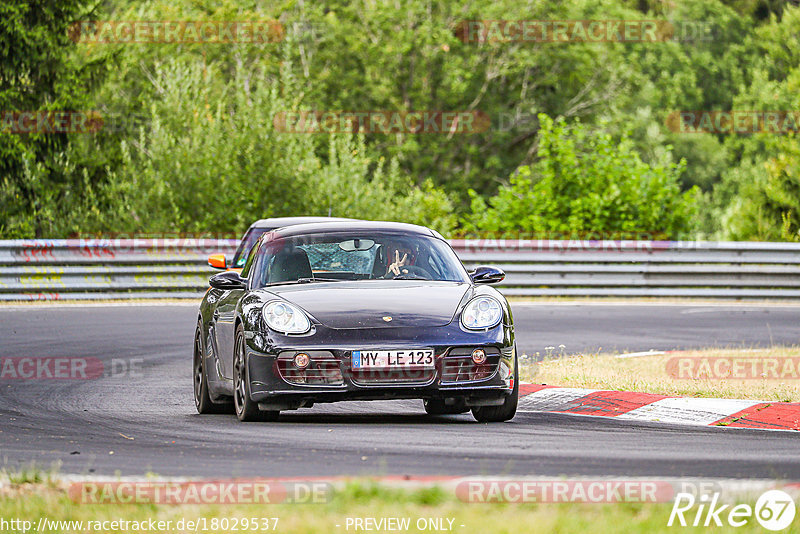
<point>176,268</point>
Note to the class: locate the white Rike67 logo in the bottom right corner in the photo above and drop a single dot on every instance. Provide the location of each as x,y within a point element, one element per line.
<point>774,510</point>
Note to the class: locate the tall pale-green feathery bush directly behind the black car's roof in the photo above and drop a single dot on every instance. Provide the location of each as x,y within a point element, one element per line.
<point>210,158</point>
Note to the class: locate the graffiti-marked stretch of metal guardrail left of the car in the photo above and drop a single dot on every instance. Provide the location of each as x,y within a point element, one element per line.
<point>87,269</point>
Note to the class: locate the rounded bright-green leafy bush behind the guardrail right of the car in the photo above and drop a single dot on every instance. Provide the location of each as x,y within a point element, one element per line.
<point>585,182</point>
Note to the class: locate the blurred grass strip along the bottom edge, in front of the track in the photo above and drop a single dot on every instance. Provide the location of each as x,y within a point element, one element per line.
<point>31,502</point>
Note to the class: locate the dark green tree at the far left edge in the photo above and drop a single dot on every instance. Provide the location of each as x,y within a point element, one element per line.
<point>40,72</point>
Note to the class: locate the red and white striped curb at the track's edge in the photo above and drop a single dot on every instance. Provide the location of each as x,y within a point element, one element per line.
<point>629,405</point>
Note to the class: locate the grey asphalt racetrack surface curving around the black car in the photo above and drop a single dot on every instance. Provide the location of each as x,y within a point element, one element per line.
<point>143,420</point>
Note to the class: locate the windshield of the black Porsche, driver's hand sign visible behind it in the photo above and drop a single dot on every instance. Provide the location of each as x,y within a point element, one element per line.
<point>348,256</point>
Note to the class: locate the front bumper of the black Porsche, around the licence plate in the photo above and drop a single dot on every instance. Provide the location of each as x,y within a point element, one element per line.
<point>276,384</point>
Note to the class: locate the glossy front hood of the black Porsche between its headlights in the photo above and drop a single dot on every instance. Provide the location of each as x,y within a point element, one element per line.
<point>367,303</point>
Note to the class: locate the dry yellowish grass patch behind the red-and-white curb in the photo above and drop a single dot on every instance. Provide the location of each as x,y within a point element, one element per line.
<point>656,373</point>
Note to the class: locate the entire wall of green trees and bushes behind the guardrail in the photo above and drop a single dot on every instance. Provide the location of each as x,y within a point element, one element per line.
<point>578,141</point>
